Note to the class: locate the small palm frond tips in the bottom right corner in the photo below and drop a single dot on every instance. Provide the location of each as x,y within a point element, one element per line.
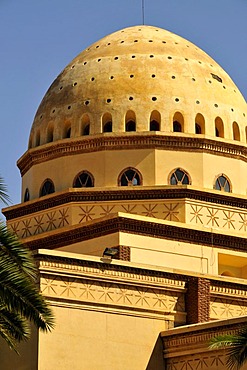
<point>236,348</point>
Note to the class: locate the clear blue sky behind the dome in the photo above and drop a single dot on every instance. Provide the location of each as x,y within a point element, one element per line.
<point>38,38</point>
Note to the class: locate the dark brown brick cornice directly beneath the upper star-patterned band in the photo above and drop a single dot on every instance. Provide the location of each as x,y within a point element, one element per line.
<point>118,223</point>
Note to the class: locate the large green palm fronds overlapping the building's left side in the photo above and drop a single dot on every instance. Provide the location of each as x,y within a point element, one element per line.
<point>20,299</point>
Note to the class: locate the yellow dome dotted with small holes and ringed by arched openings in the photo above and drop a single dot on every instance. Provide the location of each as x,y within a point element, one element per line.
<point>140,74</point>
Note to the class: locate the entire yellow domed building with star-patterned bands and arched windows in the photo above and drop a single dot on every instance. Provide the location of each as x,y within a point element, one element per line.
<point>138,146</point>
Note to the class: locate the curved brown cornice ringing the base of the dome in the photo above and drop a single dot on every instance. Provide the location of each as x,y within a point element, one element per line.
<point>125,142</point>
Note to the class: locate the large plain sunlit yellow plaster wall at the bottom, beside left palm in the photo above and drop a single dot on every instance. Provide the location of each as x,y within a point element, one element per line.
<point>99,341</point>
